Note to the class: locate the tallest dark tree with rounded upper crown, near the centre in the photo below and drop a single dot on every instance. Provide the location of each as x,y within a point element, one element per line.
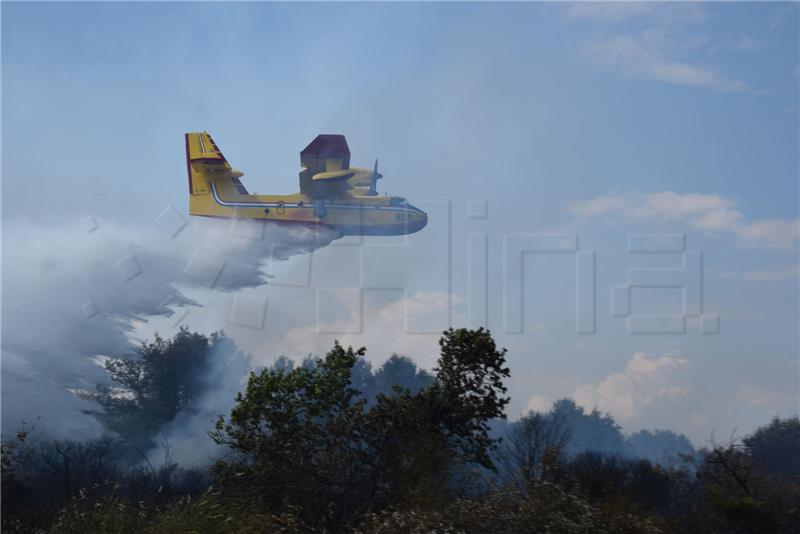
<point>418,438</point>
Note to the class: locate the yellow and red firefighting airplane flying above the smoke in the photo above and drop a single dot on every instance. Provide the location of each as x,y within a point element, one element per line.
<point>331,192</point>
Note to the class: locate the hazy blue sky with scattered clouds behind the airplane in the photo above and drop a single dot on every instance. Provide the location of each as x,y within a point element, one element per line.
<point>593,120</point>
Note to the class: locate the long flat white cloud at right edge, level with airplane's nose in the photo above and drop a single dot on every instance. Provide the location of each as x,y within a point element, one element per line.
<point>708,213</point>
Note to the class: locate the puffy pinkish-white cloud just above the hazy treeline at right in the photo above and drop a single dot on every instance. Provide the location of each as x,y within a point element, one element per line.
<point>646,380</point>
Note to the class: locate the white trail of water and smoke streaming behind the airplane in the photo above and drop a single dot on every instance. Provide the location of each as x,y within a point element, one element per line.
<point>71,294</point>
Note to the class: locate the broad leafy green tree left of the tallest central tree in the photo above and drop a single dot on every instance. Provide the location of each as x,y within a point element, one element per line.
<point>296,433</point>
